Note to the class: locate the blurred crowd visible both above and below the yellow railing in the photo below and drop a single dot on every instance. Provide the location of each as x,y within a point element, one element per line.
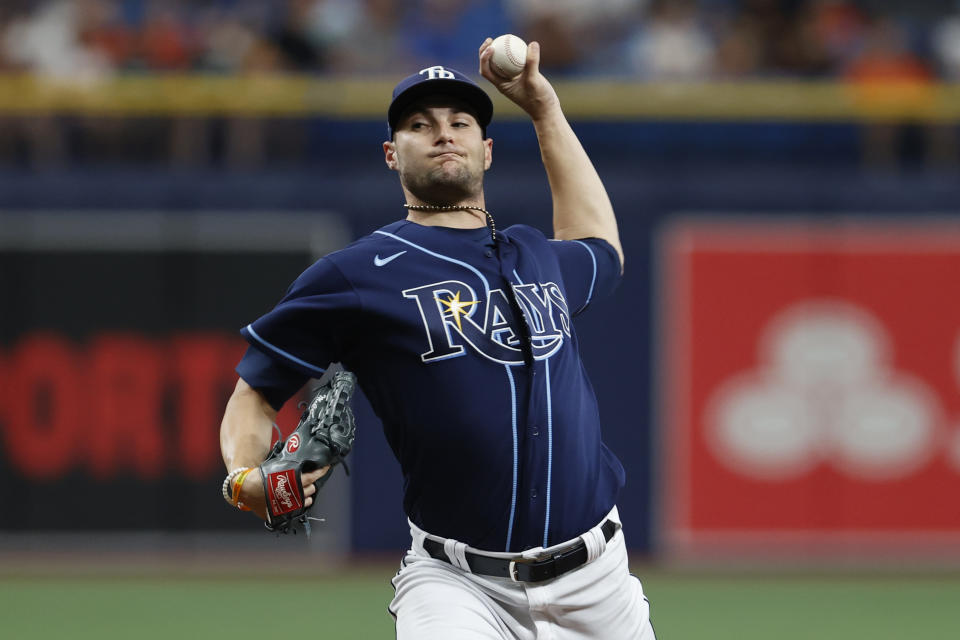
<point>647,41</point>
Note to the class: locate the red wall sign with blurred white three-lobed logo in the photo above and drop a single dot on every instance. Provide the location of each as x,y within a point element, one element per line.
<point>811,392</point>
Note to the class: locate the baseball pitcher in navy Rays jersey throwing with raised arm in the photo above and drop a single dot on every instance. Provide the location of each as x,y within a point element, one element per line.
<point>461,336</point>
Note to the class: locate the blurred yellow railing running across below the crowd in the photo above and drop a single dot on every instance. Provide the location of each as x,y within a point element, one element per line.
<point>599,99</point>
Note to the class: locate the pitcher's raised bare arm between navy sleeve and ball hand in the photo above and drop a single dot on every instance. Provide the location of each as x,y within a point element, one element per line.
<point>581,207</point>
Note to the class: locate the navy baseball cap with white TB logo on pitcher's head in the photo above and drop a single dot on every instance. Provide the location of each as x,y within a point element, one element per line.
<point>438,80</point>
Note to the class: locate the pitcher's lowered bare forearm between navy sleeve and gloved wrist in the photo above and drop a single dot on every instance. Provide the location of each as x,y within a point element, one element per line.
<point>247,428</point>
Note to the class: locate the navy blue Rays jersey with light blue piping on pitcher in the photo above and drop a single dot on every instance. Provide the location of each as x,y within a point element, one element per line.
<point>467,353</point>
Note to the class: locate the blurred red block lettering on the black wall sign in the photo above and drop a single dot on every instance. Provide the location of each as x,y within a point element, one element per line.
<point>122,404</point>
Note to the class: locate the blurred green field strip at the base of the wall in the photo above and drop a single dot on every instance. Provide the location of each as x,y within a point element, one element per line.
<point>168,604</point>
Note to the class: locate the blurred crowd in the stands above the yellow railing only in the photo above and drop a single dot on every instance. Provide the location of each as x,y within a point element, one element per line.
<point>644,39</point>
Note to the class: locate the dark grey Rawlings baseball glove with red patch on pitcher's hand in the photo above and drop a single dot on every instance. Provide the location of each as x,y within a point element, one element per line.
<point>323,437</point>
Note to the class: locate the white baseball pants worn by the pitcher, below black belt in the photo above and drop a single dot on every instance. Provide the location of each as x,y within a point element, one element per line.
<point>600,600</point>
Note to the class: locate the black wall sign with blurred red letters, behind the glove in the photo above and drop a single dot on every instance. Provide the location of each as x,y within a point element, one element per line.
<point>118,342</point>
